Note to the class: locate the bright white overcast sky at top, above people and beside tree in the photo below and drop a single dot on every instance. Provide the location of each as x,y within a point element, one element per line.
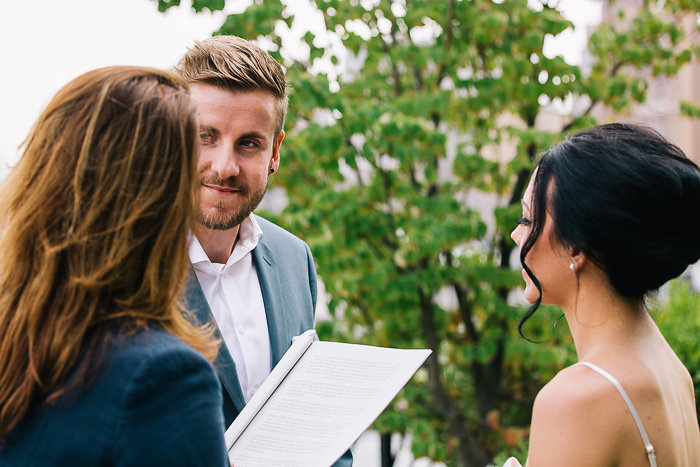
<point>46,43</point>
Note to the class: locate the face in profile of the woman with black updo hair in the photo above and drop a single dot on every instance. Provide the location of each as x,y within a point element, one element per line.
<point>547,259</point>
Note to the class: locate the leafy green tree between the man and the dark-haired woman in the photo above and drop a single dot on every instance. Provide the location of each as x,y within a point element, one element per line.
<point>411,136</point>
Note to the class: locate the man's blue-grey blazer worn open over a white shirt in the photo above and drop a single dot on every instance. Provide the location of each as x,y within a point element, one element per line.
<point>287,278</point>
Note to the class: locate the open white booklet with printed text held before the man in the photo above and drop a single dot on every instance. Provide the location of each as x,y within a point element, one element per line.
<point>317,401</point>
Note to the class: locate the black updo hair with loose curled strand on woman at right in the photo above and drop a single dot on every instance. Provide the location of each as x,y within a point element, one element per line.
<point>625,197</point>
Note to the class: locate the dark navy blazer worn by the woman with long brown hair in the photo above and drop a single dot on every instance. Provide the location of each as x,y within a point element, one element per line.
<point>153,401</point>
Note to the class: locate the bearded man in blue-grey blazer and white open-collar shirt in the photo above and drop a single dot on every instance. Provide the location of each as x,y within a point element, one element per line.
<point>256,280</point>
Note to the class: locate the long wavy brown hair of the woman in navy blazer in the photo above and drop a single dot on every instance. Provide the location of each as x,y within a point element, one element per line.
<point>93,231</point>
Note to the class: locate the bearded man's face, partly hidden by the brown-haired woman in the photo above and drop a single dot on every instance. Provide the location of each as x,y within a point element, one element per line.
<point>238,149</point>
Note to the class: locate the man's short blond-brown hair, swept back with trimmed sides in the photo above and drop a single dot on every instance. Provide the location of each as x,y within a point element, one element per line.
<point>238,65</point>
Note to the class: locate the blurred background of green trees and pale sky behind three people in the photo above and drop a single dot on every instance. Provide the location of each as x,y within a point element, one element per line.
<point>412,131</point>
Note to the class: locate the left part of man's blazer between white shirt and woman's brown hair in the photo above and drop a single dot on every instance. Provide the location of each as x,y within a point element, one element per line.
<point>196,302</point>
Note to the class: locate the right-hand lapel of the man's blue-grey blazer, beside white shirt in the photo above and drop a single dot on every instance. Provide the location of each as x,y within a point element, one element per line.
<point>271,288</point>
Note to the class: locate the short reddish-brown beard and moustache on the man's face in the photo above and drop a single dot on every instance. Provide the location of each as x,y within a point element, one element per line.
<point>226,216</point>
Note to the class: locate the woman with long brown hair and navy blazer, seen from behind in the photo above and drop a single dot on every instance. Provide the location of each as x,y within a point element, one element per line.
<point>97,363</point>
